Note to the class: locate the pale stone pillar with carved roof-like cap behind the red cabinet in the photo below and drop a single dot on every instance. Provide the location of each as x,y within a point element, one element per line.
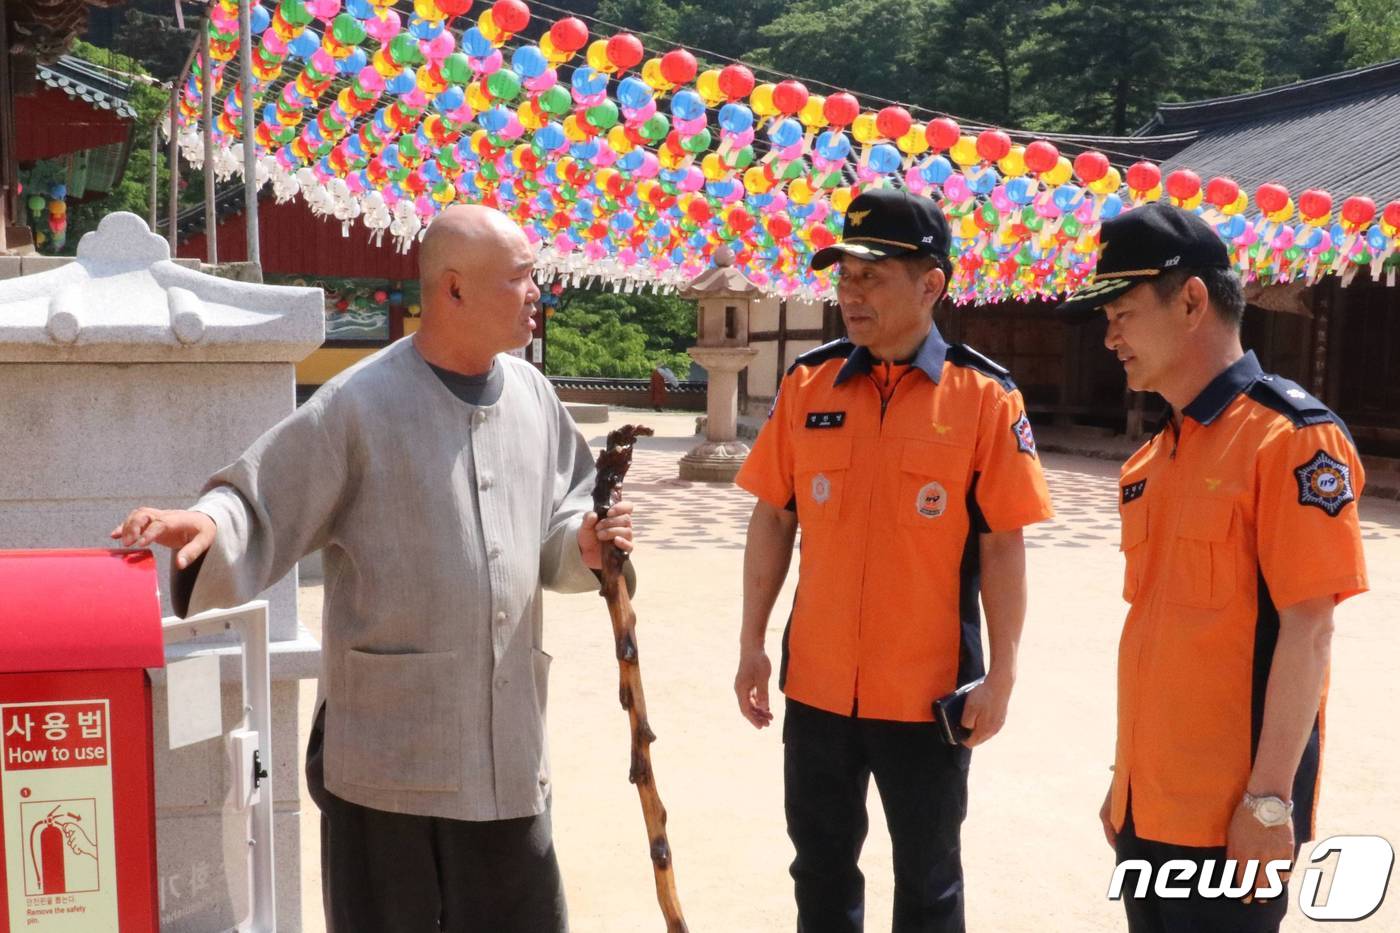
<point>127,380</point>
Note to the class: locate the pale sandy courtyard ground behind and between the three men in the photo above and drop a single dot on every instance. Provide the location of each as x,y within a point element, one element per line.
<point>1034,852</point>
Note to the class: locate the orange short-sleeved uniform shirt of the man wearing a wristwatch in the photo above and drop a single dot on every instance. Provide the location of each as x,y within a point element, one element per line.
<point>1245,511</point>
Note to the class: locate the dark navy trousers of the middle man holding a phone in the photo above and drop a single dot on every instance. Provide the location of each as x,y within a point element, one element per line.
<point>923,788</point>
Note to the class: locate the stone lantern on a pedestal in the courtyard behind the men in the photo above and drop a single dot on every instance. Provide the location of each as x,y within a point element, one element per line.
<point>724,299</point>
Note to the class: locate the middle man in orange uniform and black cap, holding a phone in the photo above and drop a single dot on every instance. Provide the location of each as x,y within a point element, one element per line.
<point>911,469</point>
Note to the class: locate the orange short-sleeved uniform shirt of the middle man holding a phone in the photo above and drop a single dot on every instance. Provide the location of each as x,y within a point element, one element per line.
<point>894,471</point>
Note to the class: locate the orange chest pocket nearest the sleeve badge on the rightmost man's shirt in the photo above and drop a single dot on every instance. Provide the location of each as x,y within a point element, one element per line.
<point>1203,574</point>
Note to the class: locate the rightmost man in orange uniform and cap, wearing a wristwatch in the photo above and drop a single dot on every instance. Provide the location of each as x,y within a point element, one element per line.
<point>1241,537</point>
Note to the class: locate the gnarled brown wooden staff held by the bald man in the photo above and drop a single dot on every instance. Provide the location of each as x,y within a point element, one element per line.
<point>612,467</point>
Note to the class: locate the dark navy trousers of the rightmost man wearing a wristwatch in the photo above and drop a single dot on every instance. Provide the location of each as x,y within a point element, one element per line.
<point>1193,914</point>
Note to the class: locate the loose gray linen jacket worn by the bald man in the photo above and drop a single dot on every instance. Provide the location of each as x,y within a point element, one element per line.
<point>440,522</point>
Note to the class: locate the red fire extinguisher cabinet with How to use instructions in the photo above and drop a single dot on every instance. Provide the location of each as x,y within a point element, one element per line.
<point>78,794</point>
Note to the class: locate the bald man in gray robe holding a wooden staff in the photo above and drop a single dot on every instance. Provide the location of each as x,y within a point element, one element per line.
<point>446,485</point>
